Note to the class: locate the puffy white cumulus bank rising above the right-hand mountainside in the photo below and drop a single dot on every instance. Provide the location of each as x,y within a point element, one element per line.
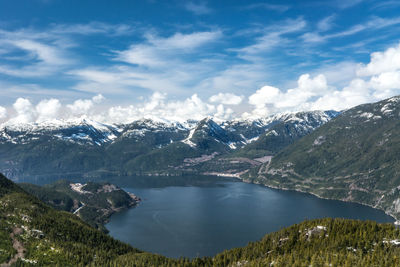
<point>377,80</point>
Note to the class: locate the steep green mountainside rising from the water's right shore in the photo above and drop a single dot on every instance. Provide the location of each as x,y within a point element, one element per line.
<point>354,157</point>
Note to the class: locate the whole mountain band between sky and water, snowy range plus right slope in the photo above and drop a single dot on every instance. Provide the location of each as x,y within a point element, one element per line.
<point>311,152</point>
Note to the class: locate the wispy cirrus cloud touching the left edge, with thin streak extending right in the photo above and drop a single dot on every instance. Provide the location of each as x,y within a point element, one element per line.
<point>47,52</point>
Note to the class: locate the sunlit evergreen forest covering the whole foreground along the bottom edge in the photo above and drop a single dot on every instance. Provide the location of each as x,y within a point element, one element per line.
<point>34,234</point>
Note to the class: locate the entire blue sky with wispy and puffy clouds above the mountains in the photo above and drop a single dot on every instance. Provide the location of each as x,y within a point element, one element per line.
<point>119,61</point>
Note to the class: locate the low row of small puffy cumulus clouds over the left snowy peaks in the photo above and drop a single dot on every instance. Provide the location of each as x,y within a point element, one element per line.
<point>156,107</point>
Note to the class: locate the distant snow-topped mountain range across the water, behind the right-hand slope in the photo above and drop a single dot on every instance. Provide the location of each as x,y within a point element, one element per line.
<point>145,147</point>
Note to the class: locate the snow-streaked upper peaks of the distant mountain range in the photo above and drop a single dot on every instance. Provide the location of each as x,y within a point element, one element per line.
<point>234,133</point>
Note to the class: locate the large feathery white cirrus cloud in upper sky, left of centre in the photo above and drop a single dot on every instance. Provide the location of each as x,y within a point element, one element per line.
<point>168,64</point>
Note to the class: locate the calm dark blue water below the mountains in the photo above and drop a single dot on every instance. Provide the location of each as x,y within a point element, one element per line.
<point>203,221</point>
